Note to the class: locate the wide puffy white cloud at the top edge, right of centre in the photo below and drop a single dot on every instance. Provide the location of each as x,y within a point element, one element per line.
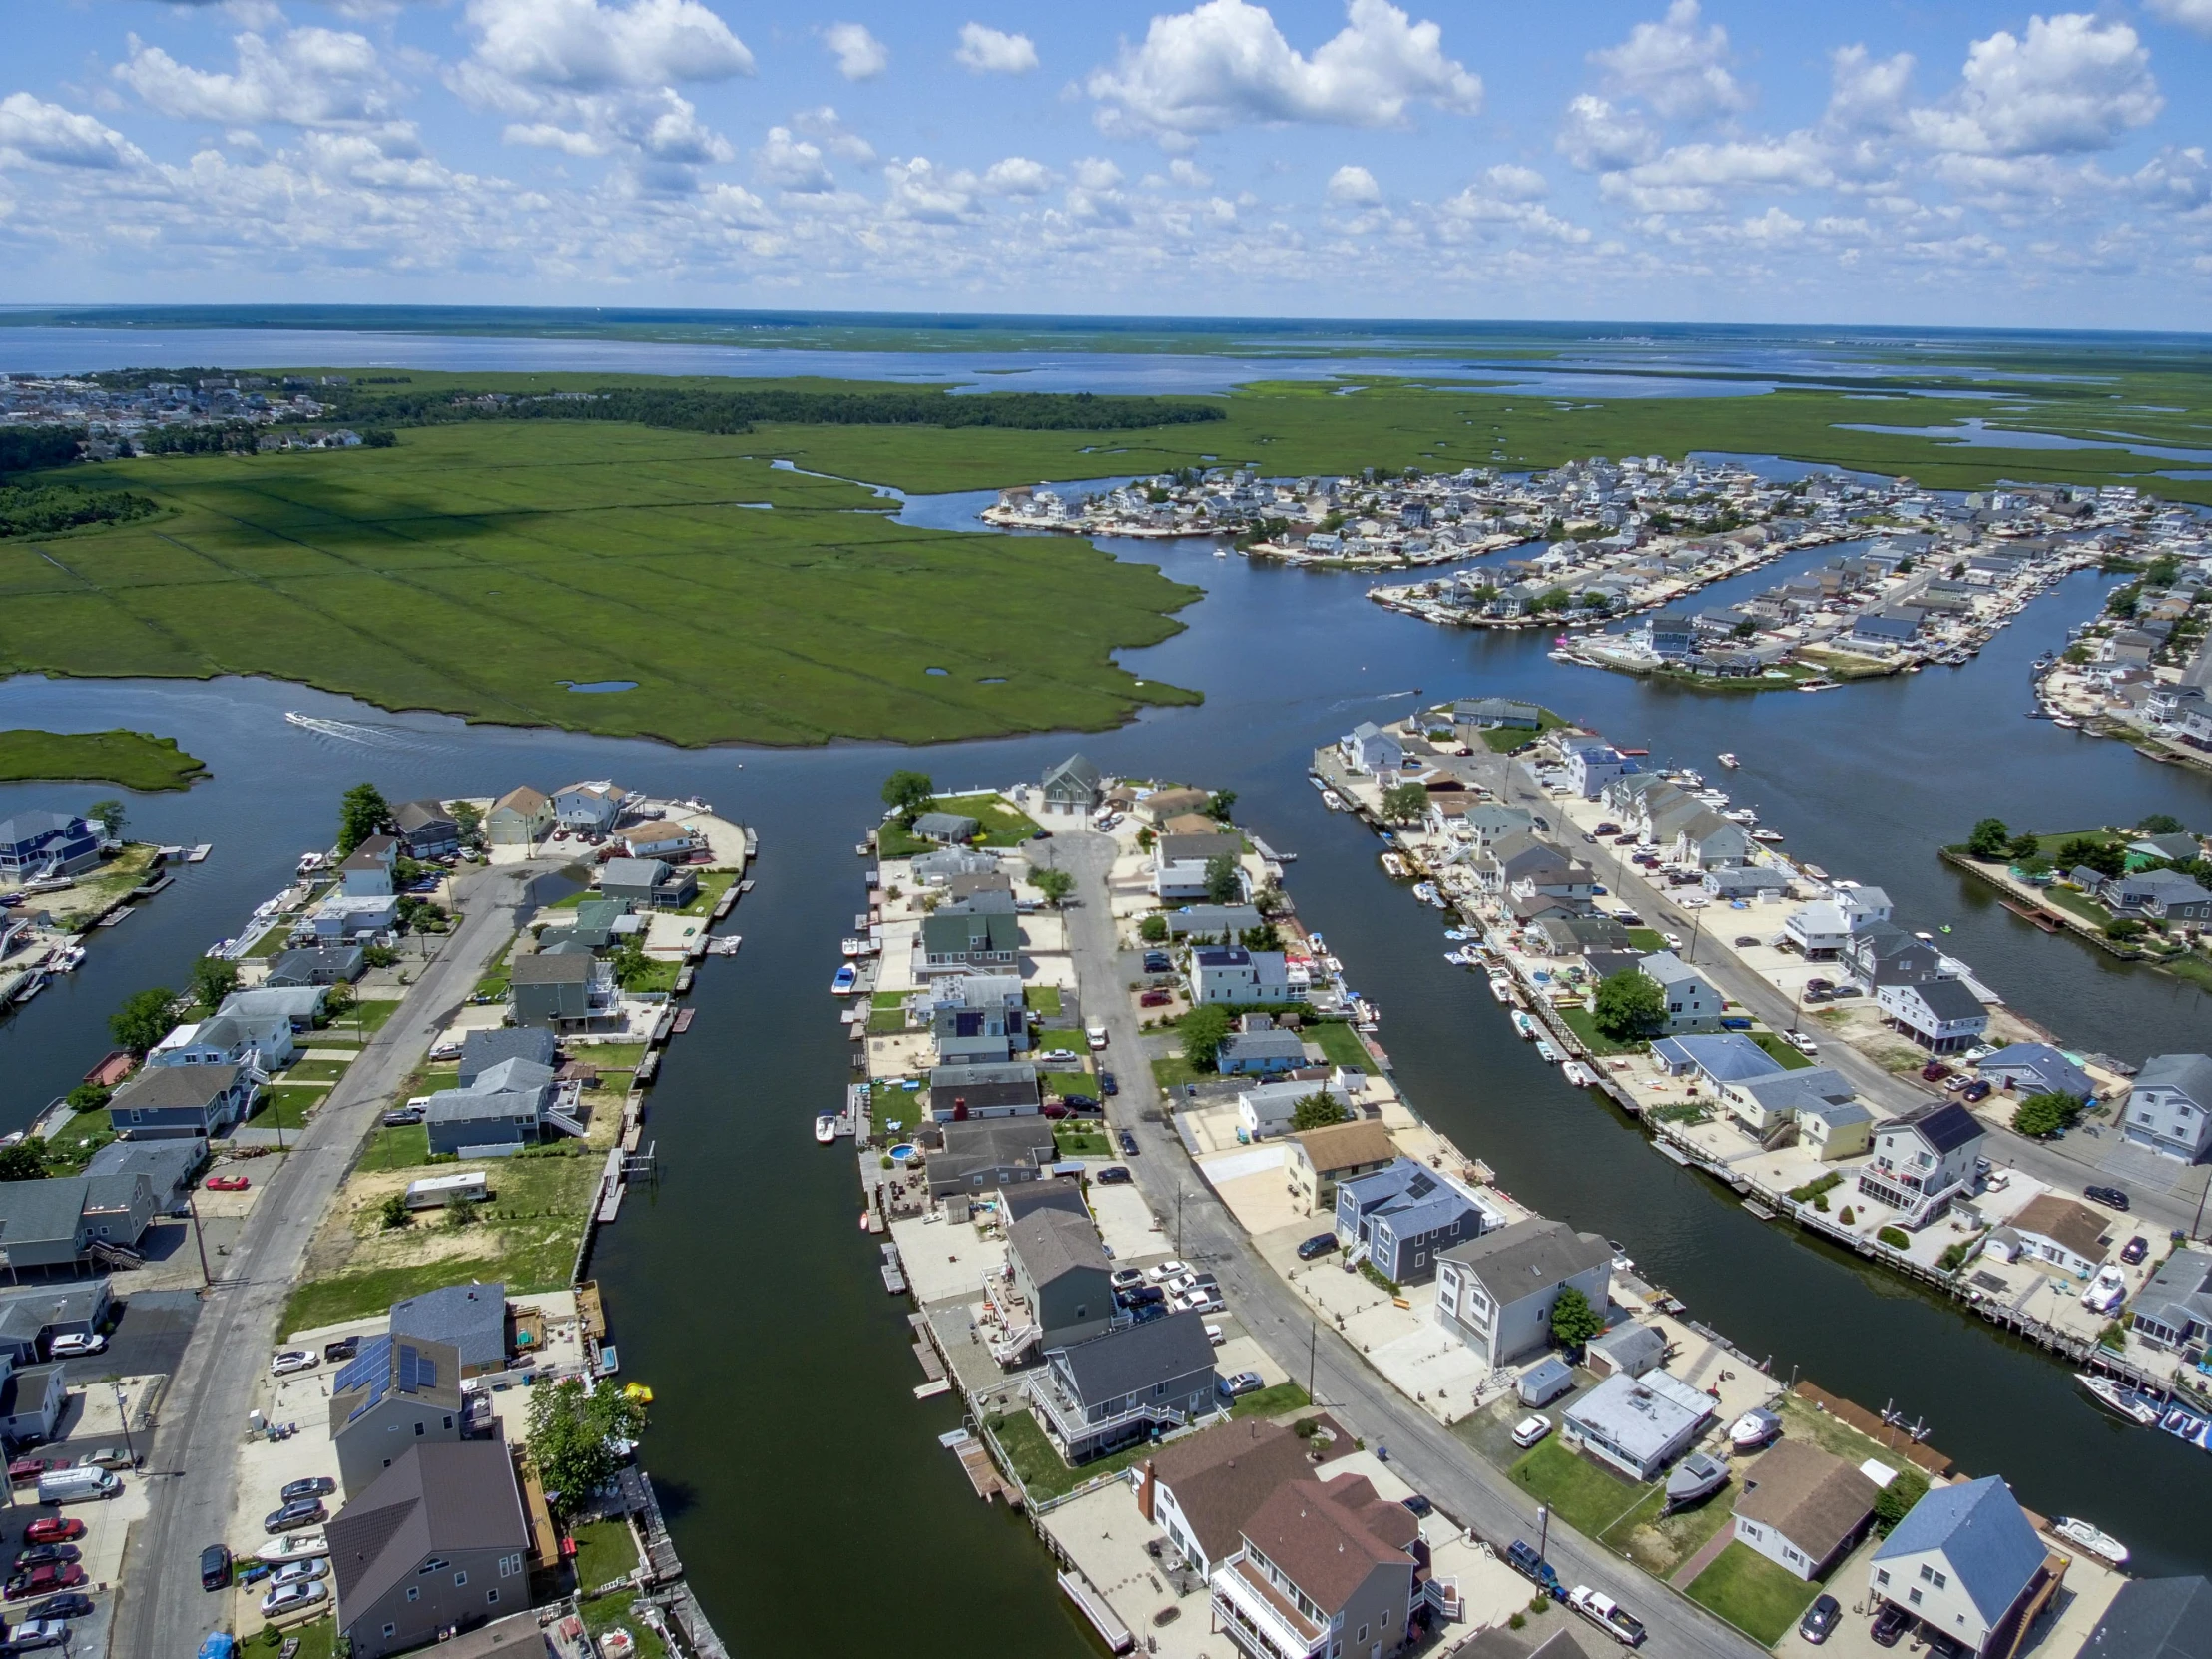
<point>1229,65</point>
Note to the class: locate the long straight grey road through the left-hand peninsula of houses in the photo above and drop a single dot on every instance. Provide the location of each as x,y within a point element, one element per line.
<point>191,1468</point>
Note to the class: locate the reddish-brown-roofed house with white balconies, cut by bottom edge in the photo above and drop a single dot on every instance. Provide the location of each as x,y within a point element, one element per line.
<point>1326,1569</point>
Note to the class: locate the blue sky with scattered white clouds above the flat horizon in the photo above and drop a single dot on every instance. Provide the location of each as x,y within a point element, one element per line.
<point>1910,163</point>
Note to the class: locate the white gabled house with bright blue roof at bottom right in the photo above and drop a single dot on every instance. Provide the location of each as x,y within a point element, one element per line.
<point>1965,1565</point>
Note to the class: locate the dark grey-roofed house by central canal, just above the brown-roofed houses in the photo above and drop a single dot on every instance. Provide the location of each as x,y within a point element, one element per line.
<point>1125,1386</point>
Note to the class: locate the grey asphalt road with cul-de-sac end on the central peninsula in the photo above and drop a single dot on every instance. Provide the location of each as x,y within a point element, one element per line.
<point>1426,1454</point>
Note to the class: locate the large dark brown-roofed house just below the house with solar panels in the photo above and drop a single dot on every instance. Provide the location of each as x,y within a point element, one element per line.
<point>435,1545</point>
